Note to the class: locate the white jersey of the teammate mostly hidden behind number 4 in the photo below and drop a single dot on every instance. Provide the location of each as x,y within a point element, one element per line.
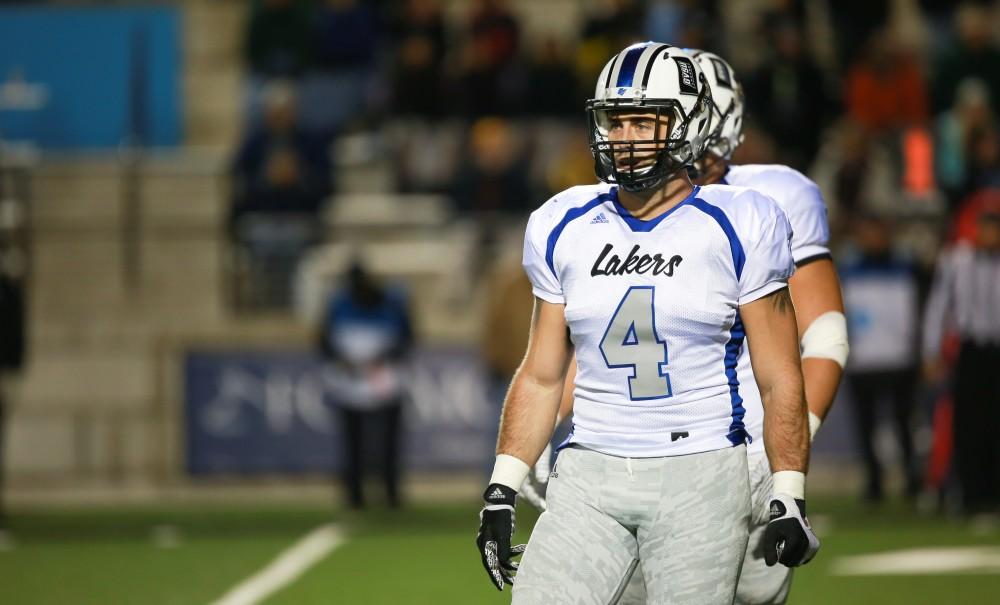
<point>803,204</point>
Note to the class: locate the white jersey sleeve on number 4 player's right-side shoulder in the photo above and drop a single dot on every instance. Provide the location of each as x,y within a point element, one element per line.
<point>768,263</point>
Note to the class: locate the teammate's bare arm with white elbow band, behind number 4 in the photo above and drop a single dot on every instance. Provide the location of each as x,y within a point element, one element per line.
<point>815,292</point>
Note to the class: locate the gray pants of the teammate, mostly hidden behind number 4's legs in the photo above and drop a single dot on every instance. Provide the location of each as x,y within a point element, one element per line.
<point>758,584</point>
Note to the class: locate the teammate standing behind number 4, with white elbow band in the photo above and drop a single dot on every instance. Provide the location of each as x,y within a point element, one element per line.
<point>816,296</point>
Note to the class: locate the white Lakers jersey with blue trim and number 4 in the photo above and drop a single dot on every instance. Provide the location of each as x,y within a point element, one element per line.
<point>653,311</point>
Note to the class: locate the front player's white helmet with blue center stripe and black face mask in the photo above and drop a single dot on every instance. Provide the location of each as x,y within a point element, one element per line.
<point>656,79</point>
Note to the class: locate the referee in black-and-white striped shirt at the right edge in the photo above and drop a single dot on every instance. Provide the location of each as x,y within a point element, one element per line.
<point>964,301</point>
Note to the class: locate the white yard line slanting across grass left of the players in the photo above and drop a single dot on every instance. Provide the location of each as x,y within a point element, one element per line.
<point>286,567</point>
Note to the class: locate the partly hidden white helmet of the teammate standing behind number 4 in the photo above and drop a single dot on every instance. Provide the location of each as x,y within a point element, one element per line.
<point>727,104</point>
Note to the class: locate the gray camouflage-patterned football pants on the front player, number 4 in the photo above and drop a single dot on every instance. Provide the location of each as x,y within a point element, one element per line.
<point>685,517</point>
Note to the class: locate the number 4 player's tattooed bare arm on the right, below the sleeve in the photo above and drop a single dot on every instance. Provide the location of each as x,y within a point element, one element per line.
<point>772,335</point>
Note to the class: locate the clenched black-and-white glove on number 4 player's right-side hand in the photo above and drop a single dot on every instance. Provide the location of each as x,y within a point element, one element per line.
<point>788,538</point>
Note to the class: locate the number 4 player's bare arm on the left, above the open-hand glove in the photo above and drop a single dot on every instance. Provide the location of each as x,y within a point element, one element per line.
<point>529,412</point>
